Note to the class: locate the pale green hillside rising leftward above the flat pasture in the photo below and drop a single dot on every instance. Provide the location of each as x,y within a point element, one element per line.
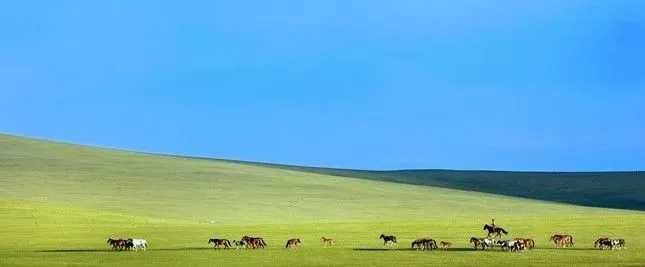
<point>218,191</point>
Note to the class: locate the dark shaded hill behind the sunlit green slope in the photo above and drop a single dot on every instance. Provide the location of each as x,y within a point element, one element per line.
<point>622,190</point>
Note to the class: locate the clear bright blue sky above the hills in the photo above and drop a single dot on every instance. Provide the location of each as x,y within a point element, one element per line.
<point>513,85</point>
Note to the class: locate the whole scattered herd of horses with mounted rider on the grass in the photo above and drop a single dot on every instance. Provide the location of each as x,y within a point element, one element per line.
<point>492,240</point>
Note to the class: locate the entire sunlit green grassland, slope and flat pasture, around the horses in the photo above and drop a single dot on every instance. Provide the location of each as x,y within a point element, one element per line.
<point>60,202</point>
